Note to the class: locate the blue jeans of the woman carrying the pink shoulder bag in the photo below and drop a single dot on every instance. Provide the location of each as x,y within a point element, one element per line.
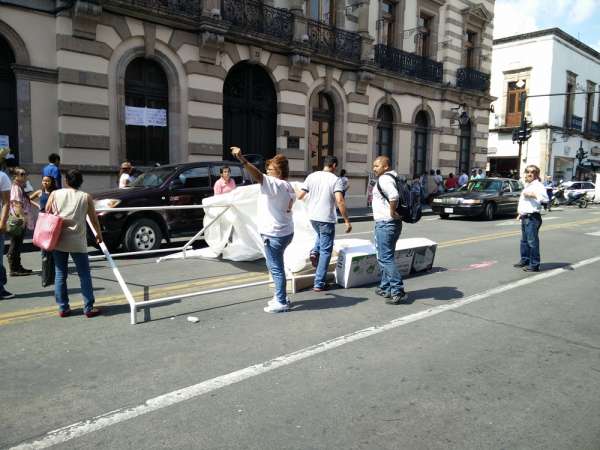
<point>82,263</point>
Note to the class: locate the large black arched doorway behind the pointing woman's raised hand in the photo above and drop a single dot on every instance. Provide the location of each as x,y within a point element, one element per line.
<point>249,111</point>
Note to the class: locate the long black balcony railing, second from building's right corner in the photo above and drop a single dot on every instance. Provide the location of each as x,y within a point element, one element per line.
<point>408,64</point>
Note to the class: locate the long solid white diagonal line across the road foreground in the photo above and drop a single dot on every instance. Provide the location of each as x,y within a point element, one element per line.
<point>108,419</point>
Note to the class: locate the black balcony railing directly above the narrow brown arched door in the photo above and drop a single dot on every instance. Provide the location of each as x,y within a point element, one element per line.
<point>331,41</point>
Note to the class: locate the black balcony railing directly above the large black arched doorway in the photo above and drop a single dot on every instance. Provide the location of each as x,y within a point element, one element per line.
<point>255,17</point>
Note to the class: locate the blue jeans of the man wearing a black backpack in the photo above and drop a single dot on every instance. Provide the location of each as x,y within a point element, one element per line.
<point>386,236</point>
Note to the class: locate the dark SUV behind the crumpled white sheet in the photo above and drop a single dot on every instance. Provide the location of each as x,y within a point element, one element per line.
<point>170,185</point>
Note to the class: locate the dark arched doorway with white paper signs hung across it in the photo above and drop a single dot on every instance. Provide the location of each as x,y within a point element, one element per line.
<point>146,113</point>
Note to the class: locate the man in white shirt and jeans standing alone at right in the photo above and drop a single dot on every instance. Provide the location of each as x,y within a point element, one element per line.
<point>529,209</point>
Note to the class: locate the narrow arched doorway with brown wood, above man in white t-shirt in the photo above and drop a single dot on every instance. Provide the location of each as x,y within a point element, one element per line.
<point>321,129</point>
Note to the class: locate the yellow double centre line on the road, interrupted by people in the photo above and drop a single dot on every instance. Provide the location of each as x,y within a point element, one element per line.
<point>26,315</point>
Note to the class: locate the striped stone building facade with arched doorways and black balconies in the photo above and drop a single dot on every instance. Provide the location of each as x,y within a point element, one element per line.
<point>166,81</point>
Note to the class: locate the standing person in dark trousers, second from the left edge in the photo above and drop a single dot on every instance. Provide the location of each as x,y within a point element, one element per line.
<point>21,212</point>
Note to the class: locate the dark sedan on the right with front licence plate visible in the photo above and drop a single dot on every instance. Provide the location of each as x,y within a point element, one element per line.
<point>486,197</point>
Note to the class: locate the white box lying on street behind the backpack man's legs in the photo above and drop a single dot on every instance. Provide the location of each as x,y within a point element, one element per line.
<point>357,265</point>
